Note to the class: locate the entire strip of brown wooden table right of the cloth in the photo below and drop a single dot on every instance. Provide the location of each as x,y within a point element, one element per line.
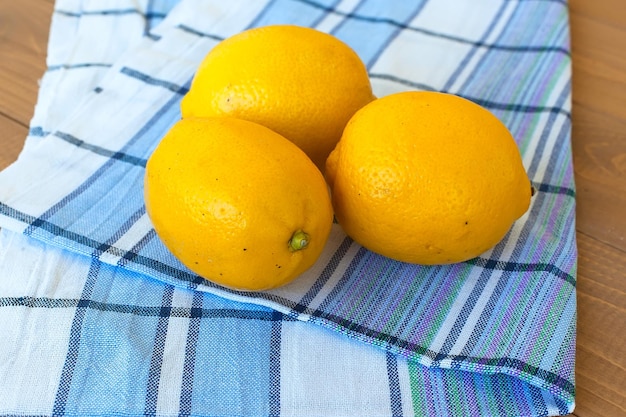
<point>598,36</point>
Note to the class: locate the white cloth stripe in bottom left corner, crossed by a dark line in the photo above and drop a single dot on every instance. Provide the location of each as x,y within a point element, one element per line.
<point>28,269</point>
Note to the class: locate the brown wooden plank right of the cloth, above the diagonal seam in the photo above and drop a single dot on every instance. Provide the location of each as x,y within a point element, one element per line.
<point>599,118</point>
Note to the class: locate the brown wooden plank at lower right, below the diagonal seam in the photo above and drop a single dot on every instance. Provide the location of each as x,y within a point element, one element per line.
<point>601,347</point>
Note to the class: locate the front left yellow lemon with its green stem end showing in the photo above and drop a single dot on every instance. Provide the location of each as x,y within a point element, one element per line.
<point>237,203</point>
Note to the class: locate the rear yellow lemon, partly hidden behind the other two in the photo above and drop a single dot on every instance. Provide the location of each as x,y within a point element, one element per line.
<point>300,82</point>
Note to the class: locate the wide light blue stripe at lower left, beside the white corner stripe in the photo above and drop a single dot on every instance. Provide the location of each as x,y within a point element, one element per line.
<point>114,365</point>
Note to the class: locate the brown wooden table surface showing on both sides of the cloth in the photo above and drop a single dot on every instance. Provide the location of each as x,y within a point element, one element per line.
<point>598,32</point>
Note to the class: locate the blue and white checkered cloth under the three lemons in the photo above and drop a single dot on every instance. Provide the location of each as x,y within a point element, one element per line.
<point>97,318</point>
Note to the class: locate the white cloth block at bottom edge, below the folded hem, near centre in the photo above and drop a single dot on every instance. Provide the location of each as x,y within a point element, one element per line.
<point>310,355</point>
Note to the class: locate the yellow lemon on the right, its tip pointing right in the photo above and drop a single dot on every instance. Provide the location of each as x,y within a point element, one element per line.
<point>427,178</point>
